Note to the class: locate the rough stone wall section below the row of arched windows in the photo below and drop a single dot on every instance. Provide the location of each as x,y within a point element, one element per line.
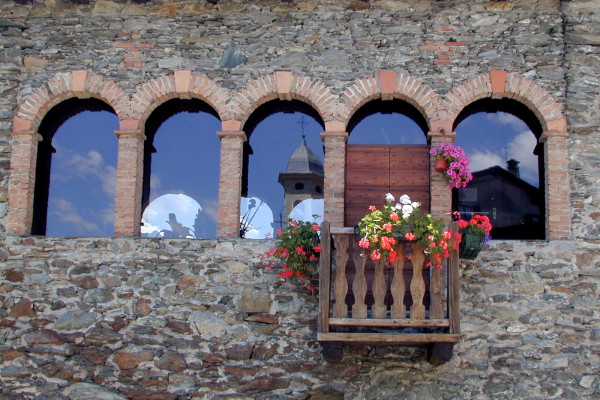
<point>202,319</point>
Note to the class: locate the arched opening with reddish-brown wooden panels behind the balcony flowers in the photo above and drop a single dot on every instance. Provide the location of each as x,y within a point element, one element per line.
<point>387,152</point>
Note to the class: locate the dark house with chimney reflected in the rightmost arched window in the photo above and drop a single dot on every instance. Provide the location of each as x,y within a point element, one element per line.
<point>513,205</point>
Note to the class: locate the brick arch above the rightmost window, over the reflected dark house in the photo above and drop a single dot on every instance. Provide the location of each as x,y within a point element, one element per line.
<point>501,84</point>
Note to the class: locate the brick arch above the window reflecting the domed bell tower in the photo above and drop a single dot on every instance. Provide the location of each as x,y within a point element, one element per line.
<point>284,85</point>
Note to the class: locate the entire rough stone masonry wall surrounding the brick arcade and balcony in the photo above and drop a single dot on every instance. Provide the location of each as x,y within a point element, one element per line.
<point>118,318</point>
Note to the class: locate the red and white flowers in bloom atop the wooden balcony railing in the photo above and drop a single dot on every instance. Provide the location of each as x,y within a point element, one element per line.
<point>378,231</point>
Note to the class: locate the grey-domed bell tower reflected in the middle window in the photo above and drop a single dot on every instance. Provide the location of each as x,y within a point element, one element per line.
<point>303,178</point>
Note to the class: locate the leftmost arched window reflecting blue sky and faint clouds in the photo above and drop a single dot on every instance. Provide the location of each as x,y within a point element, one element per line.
<point>76,170</point>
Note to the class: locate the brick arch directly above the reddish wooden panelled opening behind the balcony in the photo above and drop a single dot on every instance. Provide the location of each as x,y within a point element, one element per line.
<point>388,85</point>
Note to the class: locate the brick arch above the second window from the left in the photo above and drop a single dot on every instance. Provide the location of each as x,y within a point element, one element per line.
<point>183,84</point>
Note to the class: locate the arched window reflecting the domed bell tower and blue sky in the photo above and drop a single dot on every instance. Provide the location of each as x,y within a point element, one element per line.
<point>283,167</point>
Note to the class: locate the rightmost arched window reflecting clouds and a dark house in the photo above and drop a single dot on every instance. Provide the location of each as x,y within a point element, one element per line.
<point>500,138</point>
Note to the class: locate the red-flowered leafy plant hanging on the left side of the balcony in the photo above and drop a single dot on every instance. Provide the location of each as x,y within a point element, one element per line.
<point>296,251</point>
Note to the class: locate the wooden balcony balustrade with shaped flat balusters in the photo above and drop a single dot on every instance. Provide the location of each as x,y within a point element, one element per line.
<point>370,302</point>
